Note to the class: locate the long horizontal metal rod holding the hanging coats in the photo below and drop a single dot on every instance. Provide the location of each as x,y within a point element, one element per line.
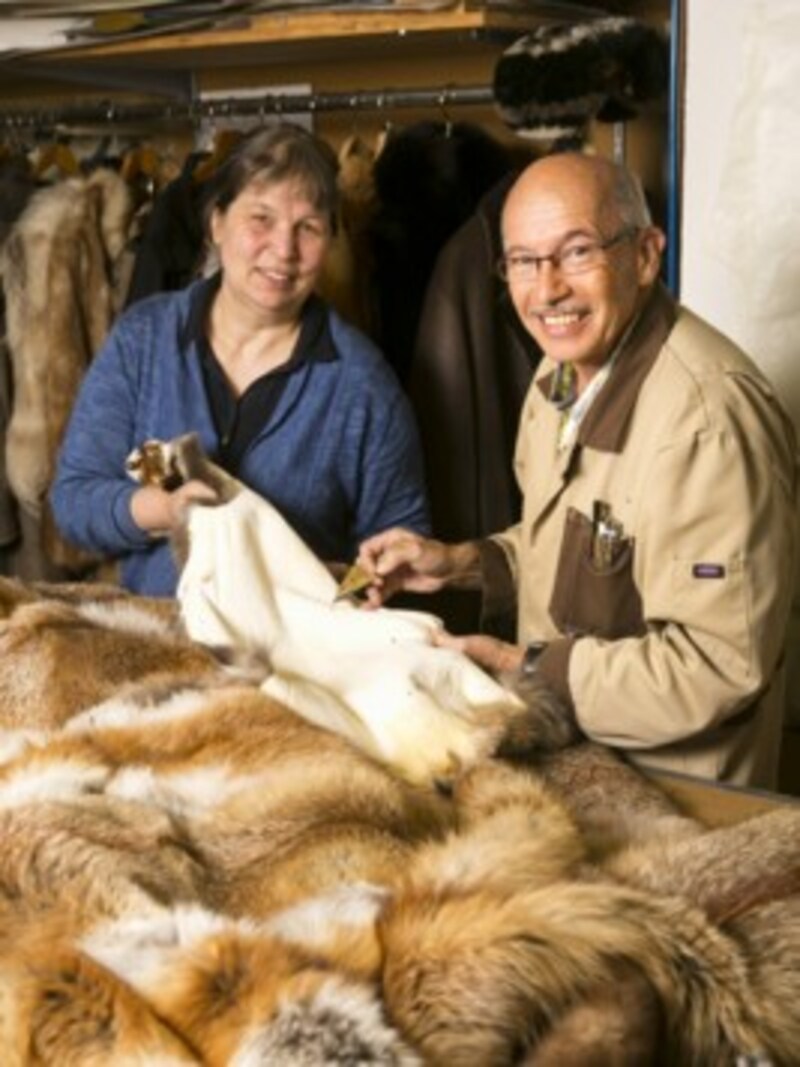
<point>270,104</point>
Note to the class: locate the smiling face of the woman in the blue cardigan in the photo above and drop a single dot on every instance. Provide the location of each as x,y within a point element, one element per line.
<point>271,242</point>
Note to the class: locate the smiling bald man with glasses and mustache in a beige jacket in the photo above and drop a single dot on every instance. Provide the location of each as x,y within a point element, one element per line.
<point>653,565</point>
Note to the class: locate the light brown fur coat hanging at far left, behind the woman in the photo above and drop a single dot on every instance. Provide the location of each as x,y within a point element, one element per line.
<point>59,281</point>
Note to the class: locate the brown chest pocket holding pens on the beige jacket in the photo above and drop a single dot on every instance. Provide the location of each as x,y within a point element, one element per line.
<point>591,597</point>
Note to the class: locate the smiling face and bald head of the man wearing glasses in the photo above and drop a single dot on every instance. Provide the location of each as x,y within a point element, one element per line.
<point>562,203</point>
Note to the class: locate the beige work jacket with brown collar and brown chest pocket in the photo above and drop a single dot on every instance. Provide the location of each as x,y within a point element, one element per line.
<point>673,646</point>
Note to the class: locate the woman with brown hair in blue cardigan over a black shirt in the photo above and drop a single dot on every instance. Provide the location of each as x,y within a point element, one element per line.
<point>284,394</point>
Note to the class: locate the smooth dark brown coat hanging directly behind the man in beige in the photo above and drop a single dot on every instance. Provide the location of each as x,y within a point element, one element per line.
<point>473,365</point>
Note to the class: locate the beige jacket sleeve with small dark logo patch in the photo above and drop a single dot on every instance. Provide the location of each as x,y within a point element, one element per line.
<point>715,559</point>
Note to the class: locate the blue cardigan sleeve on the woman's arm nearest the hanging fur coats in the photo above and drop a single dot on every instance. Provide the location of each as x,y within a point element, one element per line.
<point>91,493</point>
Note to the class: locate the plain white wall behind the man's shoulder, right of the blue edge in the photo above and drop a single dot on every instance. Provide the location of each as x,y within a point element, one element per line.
<point>741,231</point>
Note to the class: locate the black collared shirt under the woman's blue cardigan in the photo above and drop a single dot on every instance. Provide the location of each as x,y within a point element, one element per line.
<point>239,420</point>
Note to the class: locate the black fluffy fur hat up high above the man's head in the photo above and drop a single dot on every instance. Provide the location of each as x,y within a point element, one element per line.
<point>552,83</point>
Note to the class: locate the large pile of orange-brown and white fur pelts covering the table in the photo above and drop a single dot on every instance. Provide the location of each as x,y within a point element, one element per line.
<point>193,874</point>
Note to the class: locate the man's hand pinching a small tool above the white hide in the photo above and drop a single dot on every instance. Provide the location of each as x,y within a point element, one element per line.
<point>399,560</point>
